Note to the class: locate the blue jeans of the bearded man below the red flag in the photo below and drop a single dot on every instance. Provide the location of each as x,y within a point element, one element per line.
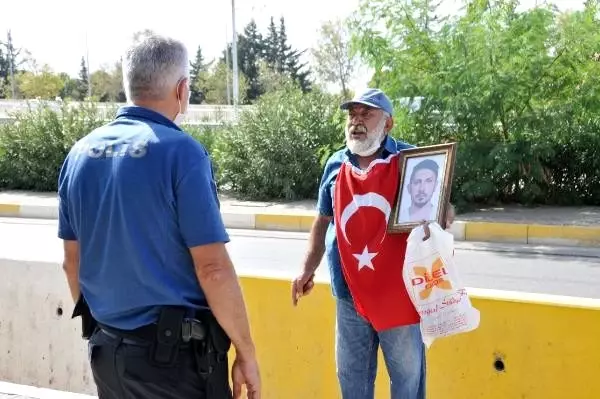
<point>356,346</point>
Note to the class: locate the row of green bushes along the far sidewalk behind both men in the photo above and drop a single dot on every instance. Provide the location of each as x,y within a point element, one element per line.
<point>278,149</point>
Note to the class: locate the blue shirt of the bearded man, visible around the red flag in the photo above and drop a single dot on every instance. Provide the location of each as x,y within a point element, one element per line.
<point>325,208</point>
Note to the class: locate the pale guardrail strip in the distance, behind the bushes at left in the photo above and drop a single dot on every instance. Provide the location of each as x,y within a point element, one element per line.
<point>197,114</point>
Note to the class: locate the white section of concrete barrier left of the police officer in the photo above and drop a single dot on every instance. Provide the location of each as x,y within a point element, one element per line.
<point>42,348</point>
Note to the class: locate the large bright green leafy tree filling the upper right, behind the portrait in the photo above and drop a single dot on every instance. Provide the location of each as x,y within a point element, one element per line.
<point>517,90</point>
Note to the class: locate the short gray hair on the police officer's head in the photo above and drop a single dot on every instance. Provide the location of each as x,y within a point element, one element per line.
<point>152,66</point>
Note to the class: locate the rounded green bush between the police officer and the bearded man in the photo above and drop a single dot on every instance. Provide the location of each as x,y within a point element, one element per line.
<point>276,149</point>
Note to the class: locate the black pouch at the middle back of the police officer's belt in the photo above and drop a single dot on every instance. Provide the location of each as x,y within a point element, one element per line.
<point>168,336</point>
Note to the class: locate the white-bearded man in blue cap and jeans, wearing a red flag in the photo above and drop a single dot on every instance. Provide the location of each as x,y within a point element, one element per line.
<point>372,309</point>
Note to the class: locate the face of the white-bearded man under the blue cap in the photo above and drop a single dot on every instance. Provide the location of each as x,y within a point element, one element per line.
<point>365,126</point>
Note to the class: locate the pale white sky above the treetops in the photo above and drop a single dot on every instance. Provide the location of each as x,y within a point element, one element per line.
<point>55,32</point>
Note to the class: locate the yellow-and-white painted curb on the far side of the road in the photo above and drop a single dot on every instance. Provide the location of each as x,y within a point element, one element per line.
<point>536,234</point>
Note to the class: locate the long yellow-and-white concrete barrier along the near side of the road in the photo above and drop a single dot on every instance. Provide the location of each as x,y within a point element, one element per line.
<point>527,346</point>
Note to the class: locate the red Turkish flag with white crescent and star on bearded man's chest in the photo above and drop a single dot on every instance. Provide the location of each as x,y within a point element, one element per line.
<point>371,259</point>
